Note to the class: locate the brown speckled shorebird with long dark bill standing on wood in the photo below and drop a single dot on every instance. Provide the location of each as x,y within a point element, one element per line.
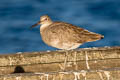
<point>63,35</point>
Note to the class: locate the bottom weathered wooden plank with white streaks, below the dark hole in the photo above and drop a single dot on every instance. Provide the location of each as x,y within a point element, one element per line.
<point>69,75</point>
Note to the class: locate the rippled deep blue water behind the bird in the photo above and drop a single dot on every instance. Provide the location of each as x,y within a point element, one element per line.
<point>16,17</point>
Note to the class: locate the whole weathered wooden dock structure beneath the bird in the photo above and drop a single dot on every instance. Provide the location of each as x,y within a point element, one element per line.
<point>82,64</point>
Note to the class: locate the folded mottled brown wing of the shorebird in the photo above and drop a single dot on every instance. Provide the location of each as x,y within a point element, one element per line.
<point>68,32</point>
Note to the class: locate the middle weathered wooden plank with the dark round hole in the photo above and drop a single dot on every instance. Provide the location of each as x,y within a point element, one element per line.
<point>80,65</point>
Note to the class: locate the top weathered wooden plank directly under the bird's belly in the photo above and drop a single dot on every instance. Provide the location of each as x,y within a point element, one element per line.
<point>59,56</point>
